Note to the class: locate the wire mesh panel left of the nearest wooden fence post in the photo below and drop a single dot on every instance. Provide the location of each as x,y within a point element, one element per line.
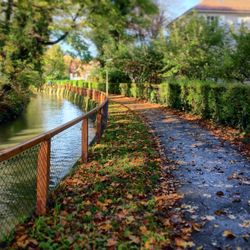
<point>17,188</point>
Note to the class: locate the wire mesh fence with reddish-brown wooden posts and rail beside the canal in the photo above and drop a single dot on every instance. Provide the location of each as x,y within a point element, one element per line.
<point>31,170</point>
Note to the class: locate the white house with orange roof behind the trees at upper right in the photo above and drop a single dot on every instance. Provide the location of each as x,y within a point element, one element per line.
<point>230,13</point>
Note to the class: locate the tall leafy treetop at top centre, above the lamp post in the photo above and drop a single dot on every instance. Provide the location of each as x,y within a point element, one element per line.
<point>122,24</point>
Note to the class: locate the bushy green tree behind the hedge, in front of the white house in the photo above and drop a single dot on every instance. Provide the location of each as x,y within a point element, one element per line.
<point>194,47</point>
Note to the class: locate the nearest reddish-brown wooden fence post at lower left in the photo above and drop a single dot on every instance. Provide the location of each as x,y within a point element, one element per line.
<point>43,170</point>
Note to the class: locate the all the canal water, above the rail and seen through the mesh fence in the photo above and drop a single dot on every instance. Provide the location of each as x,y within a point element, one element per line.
<point>18,174</point>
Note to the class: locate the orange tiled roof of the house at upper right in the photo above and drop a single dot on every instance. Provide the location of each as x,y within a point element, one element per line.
<point>224,5</point>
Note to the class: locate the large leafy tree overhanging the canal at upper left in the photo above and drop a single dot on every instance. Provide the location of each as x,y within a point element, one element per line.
<point>26,27</point>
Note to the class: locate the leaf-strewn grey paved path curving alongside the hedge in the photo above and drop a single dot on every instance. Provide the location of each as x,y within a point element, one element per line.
<point>214,178</point>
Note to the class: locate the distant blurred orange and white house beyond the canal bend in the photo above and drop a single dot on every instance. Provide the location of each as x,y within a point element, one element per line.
<point>79,70</point>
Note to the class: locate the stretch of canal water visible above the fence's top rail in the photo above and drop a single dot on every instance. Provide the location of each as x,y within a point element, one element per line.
<point>42,114</point>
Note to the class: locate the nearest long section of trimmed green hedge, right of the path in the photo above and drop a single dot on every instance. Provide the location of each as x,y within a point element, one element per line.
<point>224,103</point>
